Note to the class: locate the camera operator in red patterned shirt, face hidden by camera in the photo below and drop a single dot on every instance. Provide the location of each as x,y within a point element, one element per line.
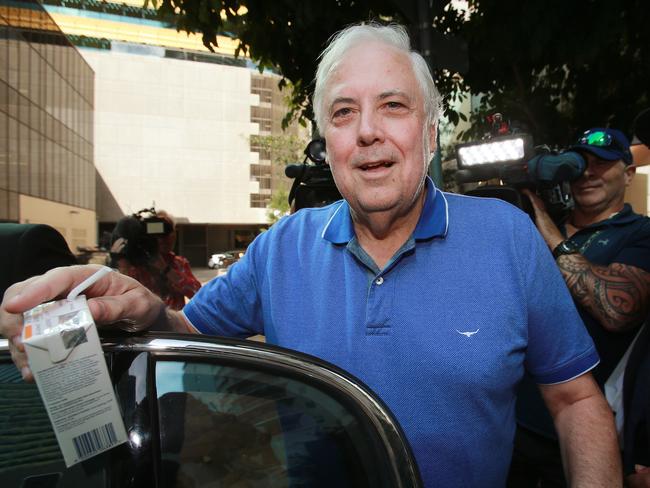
<point>150,259</point>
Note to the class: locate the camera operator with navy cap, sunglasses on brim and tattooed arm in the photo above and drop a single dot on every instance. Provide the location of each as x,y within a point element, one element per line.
<point>603,252</point>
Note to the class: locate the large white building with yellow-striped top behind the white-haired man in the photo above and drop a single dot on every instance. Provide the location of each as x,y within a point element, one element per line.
<point>173,125</point>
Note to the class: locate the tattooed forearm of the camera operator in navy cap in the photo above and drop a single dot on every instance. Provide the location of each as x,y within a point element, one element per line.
<point>618,295</point>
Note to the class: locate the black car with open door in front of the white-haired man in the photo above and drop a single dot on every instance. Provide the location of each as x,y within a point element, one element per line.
<point>213,412</point>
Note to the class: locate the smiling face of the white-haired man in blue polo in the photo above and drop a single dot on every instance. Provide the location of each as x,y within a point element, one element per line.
<point>374,129</point>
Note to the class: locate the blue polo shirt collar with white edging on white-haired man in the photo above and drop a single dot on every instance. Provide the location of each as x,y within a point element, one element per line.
<point>433,221</point>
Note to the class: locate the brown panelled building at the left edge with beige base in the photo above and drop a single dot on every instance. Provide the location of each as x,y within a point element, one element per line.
<point>46,126</point>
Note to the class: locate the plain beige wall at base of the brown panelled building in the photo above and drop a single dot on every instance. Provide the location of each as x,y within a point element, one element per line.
<point>77,225</point>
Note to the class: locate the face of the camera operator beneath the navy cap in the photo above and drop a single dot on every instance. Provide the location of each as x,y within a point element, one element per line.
<point>602,186</point>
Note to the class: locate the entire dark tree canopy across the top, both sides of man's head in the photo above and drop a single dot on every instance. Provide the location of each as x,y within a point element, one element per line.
<point>556,66</point>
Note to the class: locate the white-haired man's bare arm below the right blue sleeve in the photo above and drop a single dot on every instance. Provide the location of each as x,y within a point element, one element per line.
<point>585,427</point>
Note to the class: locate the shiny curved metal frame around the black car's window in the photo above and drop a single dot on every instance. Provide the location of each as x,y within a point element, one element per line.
<point>370,411</point>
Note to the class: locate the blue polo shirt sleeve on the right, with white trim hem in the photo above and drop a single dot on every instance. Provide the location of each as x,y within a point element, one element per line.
<point>559,346</point>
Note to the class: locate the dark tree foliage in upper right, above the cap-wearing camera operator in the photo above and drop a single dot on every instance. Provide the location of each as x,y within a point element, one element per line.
<point>560,67</point>
